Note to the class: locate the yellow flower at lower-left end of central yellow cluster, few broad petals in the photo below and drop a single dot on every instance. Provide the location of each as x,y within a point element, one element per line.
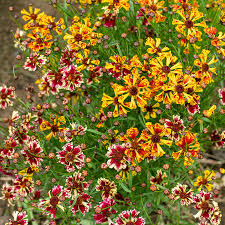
<point>117,101</point>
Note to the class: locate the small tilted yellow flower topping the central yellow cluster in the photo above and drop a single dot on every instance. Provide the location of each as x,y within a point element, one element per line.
<point>154,46</point>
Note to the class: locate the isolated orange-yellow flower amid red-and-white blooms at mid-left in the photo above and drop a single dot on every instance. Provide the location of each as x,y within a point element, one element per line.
<point>54,127</point>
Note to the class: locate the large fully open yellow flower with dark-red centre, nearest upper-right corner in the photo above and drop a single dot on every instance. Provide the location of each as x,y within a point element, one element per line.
<point>189,24</point>
